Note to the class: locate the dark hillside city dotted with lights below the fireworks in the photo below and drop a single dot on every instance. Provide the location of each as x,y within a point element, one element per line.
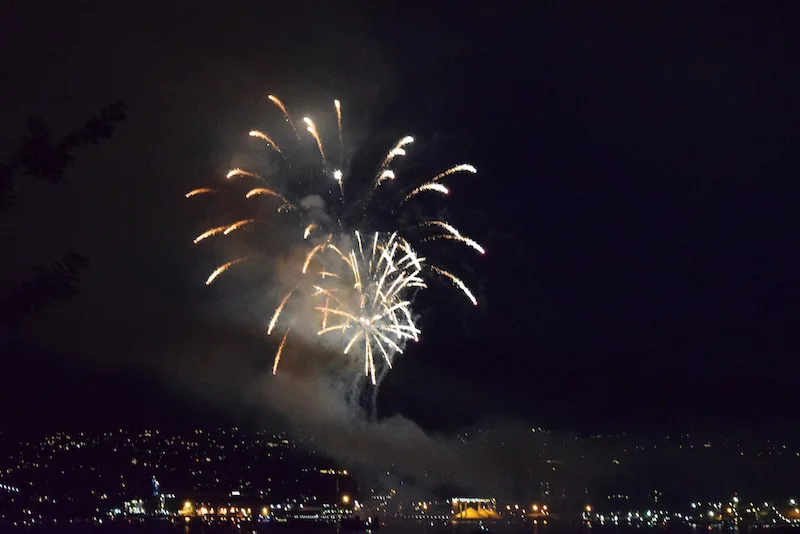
<point>212,473</point>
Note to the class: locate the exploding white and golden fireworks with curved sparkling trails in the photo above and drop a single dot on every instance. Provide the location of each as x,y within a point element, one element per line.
<point>358,283</point>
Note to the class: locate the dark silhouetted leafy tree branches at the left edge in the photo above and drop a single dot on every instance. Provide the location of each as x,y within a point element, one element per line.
<point>40,158</point>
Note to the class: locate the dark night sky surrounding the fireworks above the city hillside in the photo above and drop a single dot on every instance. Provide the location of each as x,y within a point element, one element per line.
<point>637,195</point>
